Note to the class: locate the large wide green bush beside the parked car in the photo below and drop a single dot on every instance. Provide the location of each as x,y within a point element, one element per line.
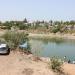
<point>13,39</point>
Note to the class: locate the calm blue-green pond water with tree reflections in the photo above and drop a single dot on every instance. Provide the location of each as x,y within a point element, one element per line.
<point>53,47</point>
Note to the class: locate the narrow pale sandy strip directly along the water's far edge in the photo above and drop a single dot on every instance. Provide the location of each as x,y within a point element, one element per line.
<point>52,35</point>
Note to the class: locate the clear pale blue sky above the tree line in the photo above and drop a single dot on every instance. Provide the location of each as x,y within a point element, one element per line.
<point>37,10</point>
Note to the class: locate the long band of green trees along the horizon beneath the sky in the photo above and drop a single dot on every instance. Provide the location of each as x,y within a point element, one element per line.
<point>52,26</point>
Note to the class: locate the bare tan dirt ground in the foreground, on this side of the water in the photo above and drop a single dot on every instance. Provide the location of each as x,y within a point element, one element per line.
<point>18,64</point>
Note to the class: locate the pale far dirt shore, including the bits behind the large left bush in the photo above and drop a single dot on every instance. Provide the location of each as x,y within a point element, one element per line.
<point>45,35</point>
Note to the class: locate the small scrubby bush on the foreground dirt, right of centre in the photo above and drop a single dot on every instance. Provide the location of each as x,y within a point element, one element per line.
<point>56,65</point>
